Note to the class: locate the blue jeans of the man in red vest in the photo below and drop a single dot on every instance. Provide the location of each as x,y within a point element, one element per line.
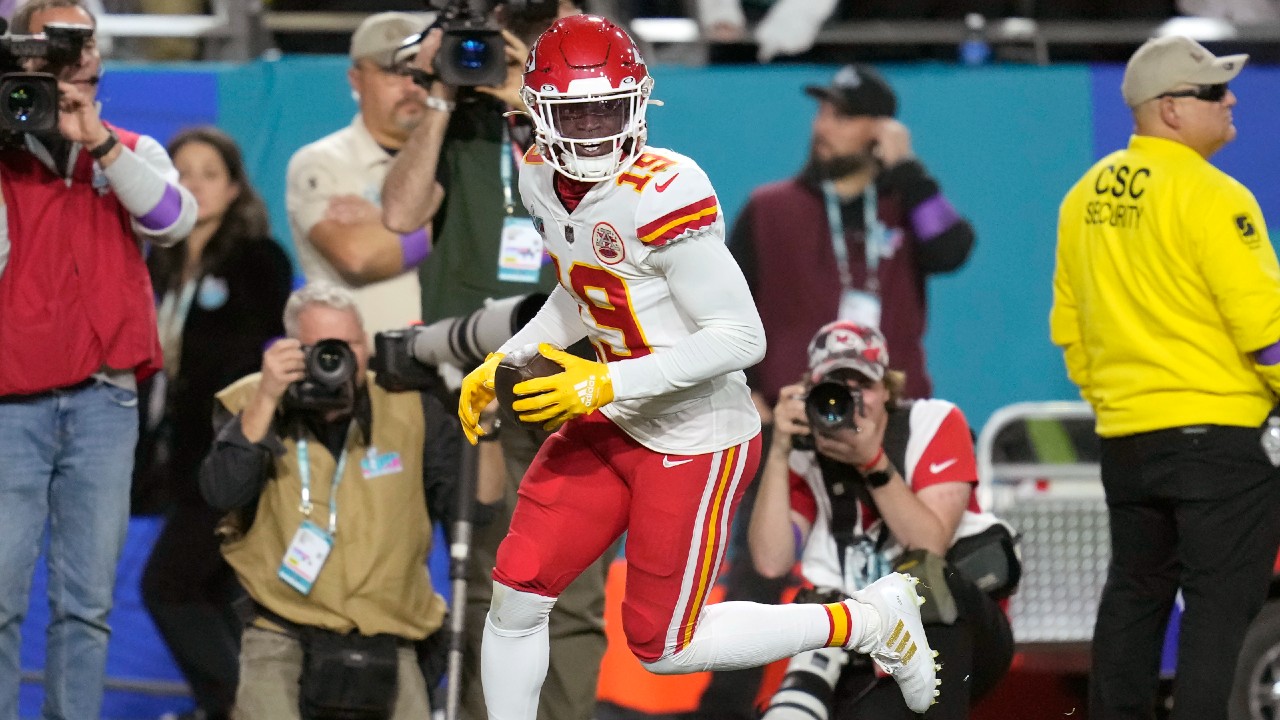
<point>67,462</point>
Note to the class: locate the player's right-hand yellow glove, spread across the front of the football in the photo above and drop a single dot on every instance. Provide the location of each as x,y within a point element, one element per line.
<point>555,400</point>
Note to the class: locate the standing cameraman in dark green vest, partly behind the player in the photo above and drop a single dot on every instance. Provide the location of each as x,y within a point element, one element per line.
<point>467,147</point>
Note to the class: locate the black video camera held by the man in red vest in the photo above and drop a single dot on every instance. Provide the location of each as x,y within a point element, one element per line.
<point>29,102</point>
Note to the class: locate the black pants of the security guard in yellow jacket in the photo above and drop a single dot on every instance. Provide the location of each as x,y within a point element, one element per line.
<point>1196,509</point>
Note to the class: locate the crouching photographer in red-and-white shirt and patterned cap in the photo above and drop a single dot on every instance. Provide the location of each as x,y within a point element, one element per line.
<point>884,477</point>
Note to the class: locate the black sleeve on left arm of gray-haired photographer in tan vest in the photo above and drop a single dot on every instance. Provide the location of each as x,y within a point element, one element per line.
<point>236,470</point>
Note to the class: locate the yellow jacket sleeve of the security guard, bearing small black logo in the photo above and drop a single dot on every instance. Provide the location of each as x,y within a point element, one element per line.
<point>1241,270</point>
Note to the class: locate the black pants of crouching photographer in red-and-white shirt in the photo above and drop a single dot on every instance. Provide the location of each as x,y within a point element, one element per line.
<point>976,653</point>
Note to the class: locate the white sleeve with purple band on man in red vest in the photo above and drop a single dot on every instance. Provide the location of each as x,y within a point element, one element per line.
<point>147,184</point>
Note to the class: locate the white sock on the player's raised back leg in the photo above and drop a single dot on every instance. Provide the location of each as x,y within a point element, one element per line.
<point>733,636</point>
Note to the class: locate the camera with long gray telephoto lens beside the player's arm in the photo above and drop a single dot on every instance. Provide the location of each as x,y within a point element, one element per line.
<point>404,358</point>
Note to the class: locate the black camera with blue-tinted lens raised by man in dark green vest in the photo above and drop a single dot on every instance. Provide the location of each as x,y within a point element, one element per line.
<point>472,51</point>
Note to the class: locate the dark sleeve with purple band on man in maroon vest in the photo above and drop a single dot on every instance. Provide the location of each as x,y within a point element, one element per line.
<point>944,239</point>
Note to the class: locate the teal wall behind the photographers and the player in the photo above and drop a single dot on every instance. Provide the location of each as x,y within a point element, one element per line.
<point>1004,142</point>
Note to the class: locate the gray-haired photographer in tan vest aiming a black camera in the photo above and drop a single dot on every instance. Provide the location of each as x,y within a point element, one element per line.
<point>344,571</point>
